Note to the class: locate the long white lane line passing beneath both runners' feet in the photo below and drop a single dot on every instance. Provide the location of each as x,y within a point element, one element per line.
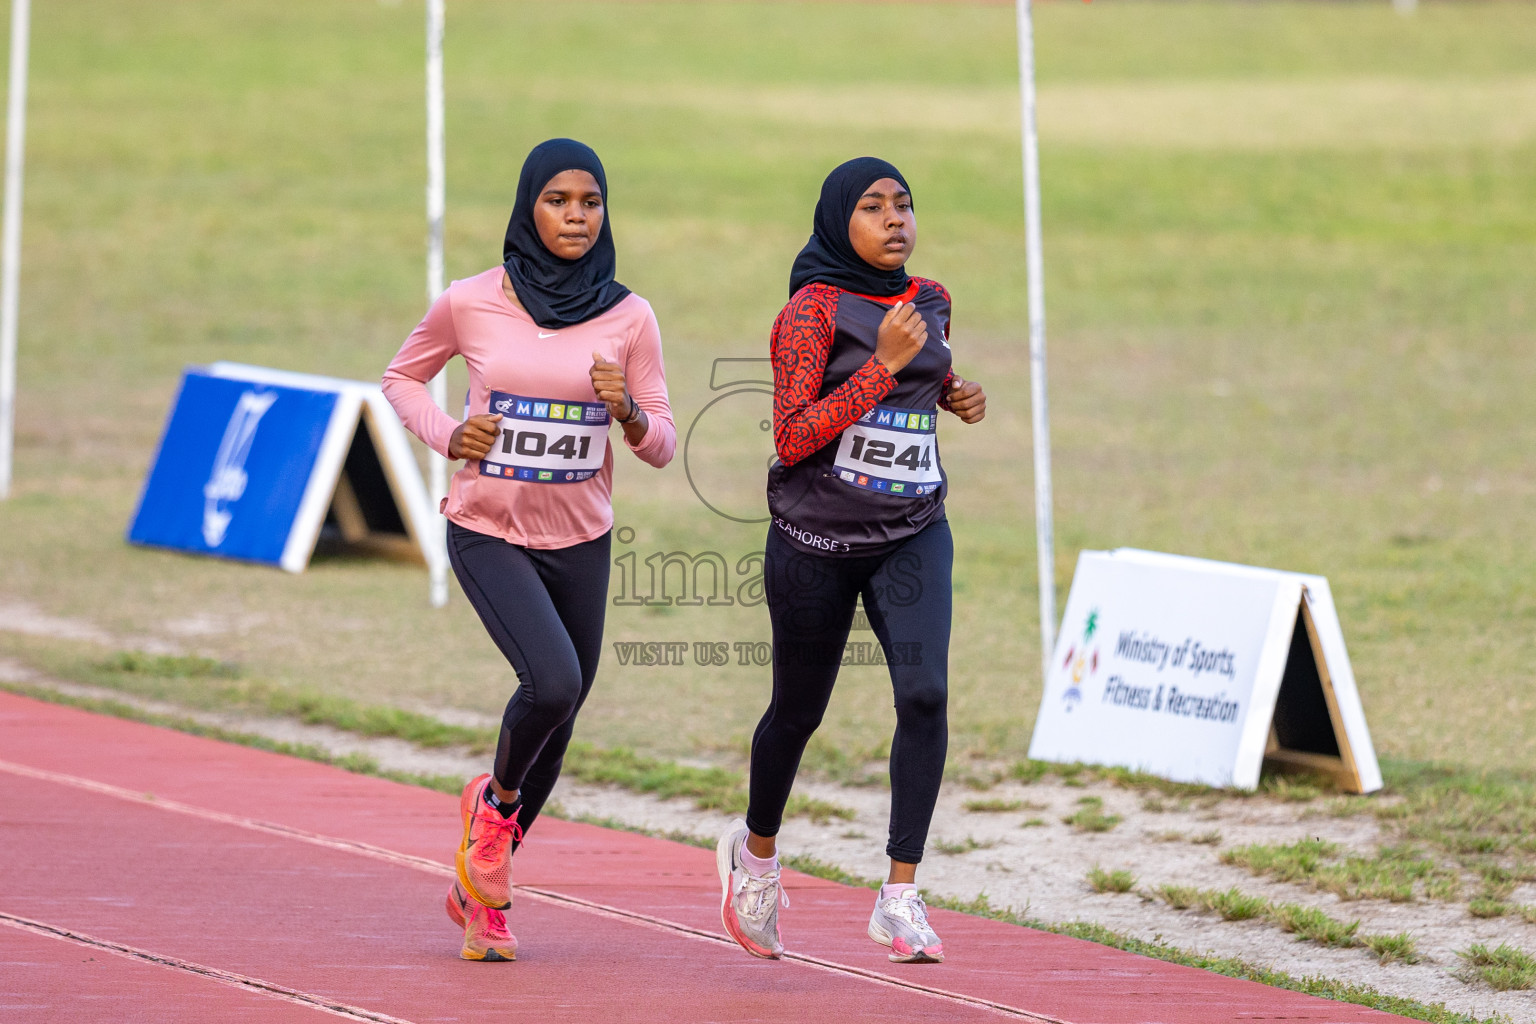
<point>545,896</point>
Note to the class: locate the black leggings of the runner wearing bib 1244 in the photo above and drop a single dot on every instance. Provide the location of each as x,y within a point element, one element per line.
<point>812,598</point>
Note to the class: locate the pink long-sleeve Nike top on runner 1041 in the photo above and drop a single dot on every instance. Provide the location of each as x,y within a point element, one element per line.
<point>509,354</point>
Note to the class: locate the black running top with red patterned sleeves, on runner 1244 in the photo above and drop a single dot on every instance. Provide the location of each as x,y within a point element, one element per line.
<point>858,469</point>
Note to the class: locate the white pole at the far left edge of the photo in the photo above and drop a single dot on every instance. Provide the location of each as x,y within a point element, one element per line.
<point>12,246</point>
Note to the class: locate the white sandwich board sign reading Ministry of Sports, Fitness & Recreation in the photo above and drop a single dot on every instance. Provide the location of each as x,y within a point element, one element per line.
<point>1199,672</point>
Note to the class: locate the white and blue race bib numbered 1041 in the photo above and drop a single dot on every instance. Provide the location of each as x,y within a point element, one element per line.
<point>545,441</point>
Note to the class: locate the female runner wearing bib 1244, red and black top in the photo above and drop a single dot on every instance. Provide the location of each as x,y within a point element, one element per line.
<point>861,360</point>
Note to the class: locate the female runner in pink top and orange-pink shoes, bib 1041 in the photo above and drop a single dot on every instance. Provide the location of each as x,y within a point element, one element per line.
<point>557,351</point>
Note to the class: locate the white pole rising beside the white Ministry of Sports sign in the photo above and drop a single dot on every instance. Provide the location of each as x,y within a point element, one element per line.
<point>1045,540</point>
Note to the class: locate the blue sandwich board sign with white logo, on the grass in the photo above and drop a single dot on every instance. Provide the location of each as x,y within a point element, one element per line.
<point>256,464</point>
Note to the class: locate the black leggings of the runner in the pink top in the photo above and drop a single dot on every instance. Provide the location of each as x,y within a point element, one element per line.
<point>545,610</point>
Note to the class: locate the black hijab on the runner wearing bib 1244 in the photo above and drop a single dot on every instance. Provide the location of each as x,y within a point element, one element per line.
<point>830,257</point>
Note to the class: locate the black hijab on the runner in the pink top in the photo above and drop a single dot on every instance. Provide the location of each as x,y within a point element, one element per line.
<point>560,292</point>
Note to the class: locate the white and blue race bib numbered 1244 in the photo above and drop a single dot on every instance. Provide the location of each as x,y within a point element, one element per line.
<point>893,451</point>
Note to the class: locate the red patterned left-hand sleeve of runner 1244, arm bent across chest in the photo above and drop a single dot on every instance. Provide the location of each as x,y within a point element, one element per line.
<point>803,337</point>
